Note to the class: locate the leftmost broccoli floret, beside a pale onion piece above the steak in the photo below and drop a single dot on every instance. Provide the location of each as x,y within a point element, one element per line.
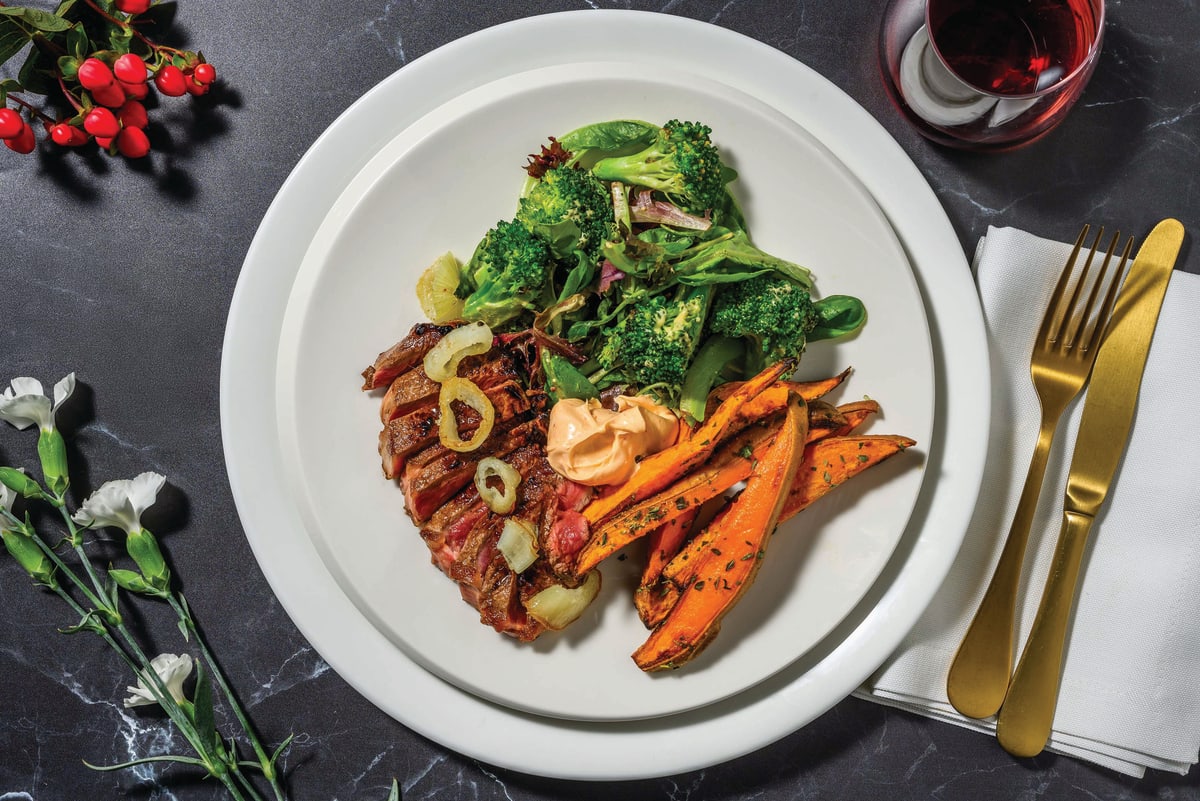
<point>507,276</point>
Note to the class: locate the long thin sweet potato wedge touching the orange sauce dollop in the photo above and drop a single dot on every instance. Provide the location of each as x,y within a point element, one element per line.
<point>664,468</point>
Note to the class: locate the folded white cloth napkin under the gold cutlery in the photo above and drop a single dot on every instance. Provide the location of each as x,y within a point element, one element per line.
<point>1131,690</point>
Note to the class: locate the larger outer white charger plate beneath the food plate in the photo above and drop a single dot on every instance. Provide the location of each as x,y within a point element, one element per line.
<point>464,721</point>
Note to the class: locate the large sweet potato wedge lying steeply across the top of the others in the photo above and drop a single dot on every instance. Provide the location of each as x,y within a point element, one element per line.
<point>725,557</point>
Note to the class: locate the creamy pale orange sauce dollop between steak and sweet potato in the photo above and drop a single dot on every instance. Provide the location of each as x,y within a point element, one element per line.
<point>593,445</point>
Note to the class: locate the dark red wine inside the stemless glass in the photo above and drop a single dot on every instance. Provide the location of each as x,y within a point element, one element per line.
<point>1011,49</point>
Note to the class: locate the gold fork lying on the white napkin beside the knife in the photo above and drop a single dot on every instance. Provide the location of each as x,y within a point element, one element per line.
<point>1061,363</point>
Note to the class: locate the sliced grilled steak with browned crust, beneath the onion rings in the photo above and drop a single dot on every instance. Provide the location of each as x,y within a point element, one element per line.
<point>439,484</point>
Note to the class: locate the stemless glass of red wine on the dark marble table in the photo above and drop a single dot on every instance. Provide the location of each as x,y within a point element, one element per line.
<point>989,75</point>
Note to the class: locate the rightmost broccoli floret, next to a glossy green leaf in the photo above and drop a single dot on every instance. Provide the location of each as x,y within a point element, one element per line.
<point>775,314</point>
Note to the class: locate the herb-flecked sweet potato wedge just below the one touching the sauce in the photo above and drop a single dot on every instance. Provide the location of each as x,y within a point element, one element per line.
<point>733,463</point>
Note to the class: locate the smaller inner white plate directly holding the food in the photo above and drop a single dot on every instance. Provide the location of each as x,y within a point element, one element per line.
<point>353,297</point>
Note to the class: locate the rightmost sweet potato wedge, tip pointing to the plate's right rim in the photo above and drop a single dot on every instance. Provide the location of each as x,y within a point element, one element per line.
<point>831,462</point>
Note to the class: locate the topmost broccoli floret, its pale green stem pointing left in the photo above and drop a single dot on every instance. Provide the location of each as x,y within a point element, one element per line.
<point>682,164</point>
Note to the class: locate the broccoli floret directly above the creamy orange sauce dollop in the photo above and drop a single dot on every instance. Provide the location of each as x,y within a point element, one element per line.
<point>655,341</point>
